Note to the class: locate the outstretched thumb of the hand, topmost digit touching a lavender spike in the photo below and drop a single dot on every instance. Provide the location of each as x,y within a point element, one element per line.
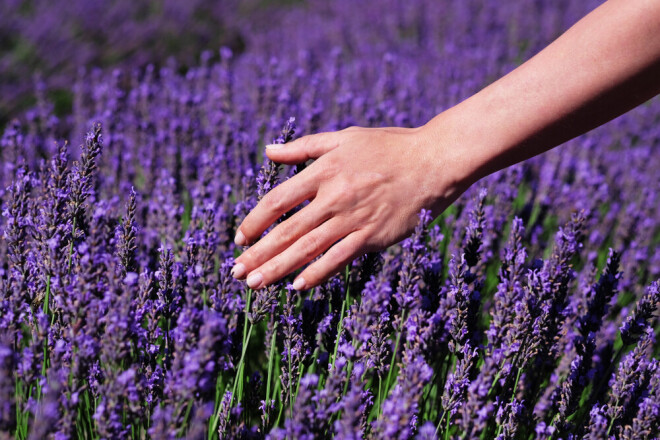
<point>302,149</point>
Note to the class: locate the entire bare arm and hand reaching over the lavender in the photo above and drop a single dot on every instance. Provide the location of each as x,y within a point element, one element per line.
<point>367,185</point>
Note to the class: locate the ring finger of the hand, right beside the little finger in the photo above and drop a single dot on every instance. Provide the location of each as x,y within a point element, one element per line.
<point>305,249</point>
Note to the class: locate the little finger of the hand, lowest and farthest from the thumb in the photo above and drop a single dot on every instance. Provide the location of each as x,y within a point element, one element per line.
<point>332,262</point>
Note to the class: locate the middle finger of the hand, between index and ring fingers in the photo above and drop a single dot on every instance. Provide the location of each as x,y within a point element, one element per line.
<point>281,237</point>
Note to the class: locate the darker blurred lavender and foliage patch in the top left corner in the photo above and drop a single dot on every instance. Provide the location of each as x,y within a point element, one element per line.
<point>45,42</point>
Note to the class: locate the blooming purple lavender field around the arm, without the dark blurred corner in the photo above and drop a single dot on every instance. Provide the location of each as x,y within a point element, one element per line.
<point>527,310</point>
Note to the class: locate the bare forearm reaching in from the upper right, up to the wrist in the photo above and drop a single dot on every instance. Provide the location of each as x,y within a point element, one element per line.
<point>606,64</point>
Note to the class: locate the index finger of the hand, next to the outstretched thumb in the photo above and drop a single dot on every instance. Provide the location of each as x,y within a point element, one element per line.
<point>277,202</point>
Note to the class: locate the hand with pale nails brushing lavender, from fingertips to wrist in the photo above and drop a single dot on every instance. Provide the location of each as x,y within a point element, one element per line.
<point>366,186</point>
